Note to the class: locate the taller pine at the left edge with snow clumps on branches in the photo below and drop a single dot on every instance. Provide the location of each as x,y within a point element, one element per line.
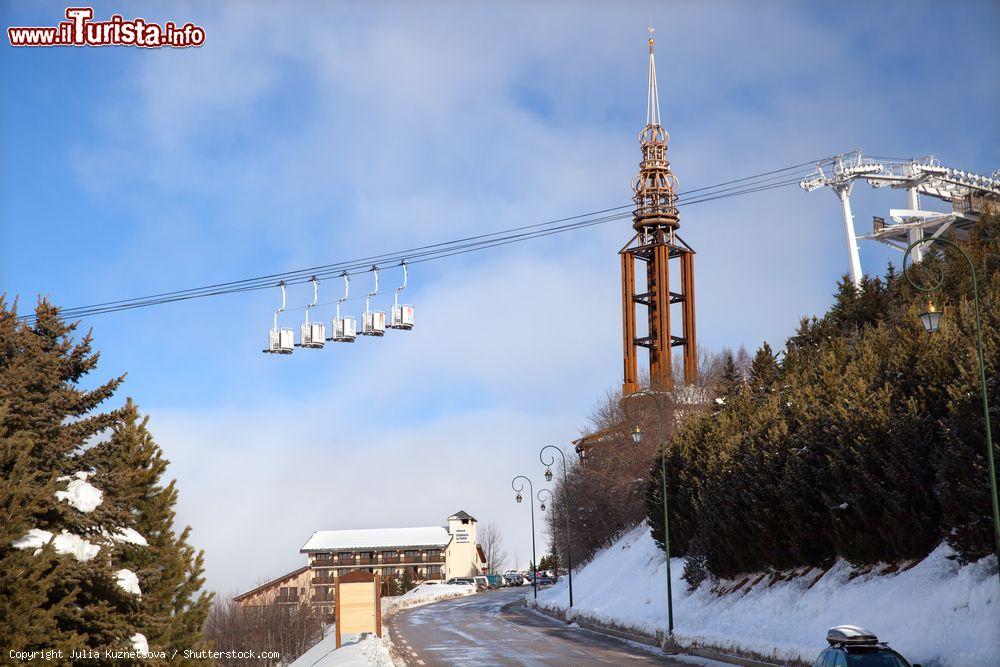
<point>62,534</point>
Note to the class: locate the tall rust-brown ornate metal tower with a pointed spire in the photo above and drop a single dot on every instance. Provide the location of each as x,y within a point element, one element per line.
<point>656,243</point>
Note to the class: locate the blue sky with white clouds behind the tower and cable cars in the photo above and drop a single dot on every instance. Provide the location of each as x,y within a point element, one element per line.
<point>309,133</point>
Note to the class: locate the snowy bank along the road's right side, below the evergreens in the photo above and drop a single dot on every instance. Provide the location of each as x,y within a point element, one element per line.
<point>936,613</point>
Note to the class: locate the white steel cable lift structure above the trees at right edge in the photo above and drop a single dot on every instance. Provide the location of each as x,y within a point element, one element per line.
<point>969,195</point>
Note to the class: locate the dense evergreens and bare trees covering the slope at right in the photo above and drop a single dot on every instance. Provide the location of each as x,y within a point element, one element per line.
<point>863,438</point>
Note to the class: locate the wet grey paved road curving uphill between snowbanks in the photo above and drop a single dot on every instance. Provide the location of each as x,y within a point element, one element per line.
<point>477,630</point>
